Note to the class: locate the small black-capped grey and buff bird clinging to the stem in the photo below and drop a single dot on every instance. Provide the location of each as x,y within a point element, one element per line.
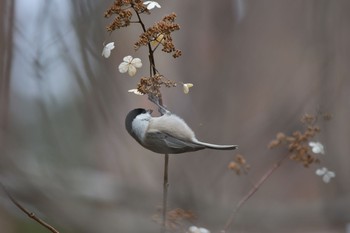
<point>167,134</point>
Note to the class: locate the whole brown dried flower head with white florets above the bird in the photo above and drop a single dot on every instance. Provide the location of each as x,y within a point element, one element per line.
<point>158,35</point>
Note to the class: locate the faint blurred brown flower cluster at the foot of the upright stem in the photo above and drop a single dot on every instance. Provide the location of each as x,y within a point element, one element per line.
<point>175,219</point>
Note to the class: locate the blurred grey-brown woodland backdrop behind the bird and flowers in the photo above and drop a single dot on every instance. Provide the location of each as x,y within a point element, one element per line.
<point>257,67</point>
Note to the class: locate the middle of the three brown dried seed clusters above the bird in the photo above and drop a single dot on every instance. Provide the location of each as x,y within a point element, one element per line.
<point>163,30</point>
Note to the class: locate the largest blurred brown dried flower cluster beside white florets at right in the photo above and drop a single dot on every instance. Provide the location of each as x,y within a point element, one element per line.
<point>298,142</point>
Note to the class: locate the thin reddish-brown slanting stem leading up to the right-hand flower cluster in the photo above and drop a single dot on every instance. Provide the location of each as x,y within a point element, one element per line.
<point>251,192</point>
